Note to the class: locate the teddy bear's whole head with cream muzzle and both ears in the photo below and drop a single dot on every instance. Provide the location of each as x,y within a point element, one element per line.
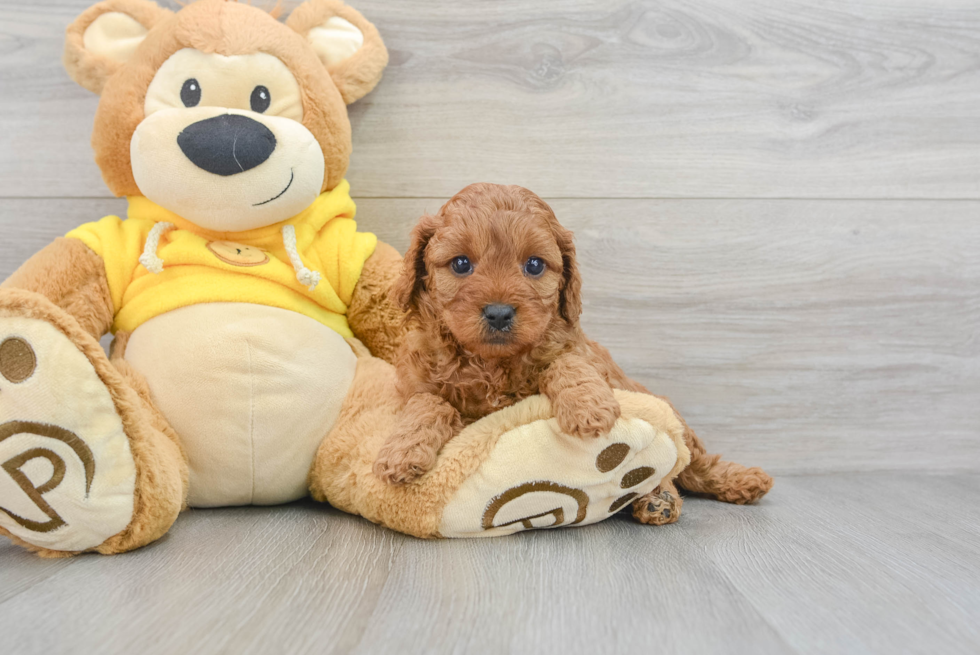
<point>219,112</point>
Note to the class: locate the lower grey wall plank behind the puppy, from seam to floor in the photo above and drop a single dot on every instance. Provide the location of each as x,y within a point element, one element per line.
<point>803,336</point>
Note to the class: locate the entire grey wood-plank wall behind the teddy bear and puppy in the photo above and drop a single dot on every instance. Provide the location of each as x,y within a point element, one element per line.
<point>777,202</point>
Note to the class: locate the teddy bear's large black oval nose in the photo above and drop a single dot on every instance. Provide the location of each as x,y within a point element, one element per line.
<point>227,144</point>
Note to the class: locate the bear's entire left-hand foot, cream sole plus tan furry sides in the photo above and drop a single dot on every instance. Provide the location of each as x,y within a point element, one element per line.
<point>87,463</point>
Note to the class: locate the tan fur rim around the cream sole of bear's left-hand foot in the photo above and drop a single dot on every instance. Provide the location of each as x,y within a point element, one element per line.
<point>161,469</point>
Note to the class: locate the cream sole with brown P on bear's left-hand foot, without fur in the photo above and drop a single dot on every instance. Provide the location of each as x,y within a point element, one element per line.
<point>67,475</point>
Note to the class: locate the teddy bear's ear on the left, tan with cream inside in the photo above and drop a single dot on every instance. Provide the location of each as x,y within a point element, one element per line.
<point>105,36</point>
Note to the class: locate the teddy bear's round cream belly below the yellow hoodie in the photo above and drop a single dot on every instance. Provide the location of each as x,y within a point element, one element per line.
<point>250,389</point>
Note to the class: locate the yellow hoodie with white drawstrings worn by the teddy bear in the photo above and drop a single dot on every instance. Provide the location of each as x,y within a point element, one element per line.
<point>157,261</point>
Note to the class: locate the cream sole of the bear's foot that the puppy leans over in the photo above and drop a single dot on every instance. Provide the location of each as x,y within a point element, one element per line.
<point>539,477</point>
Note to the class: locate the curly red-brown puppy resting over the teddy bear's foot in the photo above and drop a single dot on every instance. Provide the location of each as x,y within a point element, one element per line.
<point>455,367</point>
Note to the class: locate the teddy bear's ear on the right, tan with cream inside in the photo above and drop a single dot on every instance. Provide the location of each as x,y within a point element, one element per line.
<point>347,44</point>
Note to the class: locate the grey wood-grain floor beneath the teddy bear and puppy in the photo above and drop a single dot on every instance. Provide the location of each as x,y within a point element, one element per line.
<point>838,563</point>
